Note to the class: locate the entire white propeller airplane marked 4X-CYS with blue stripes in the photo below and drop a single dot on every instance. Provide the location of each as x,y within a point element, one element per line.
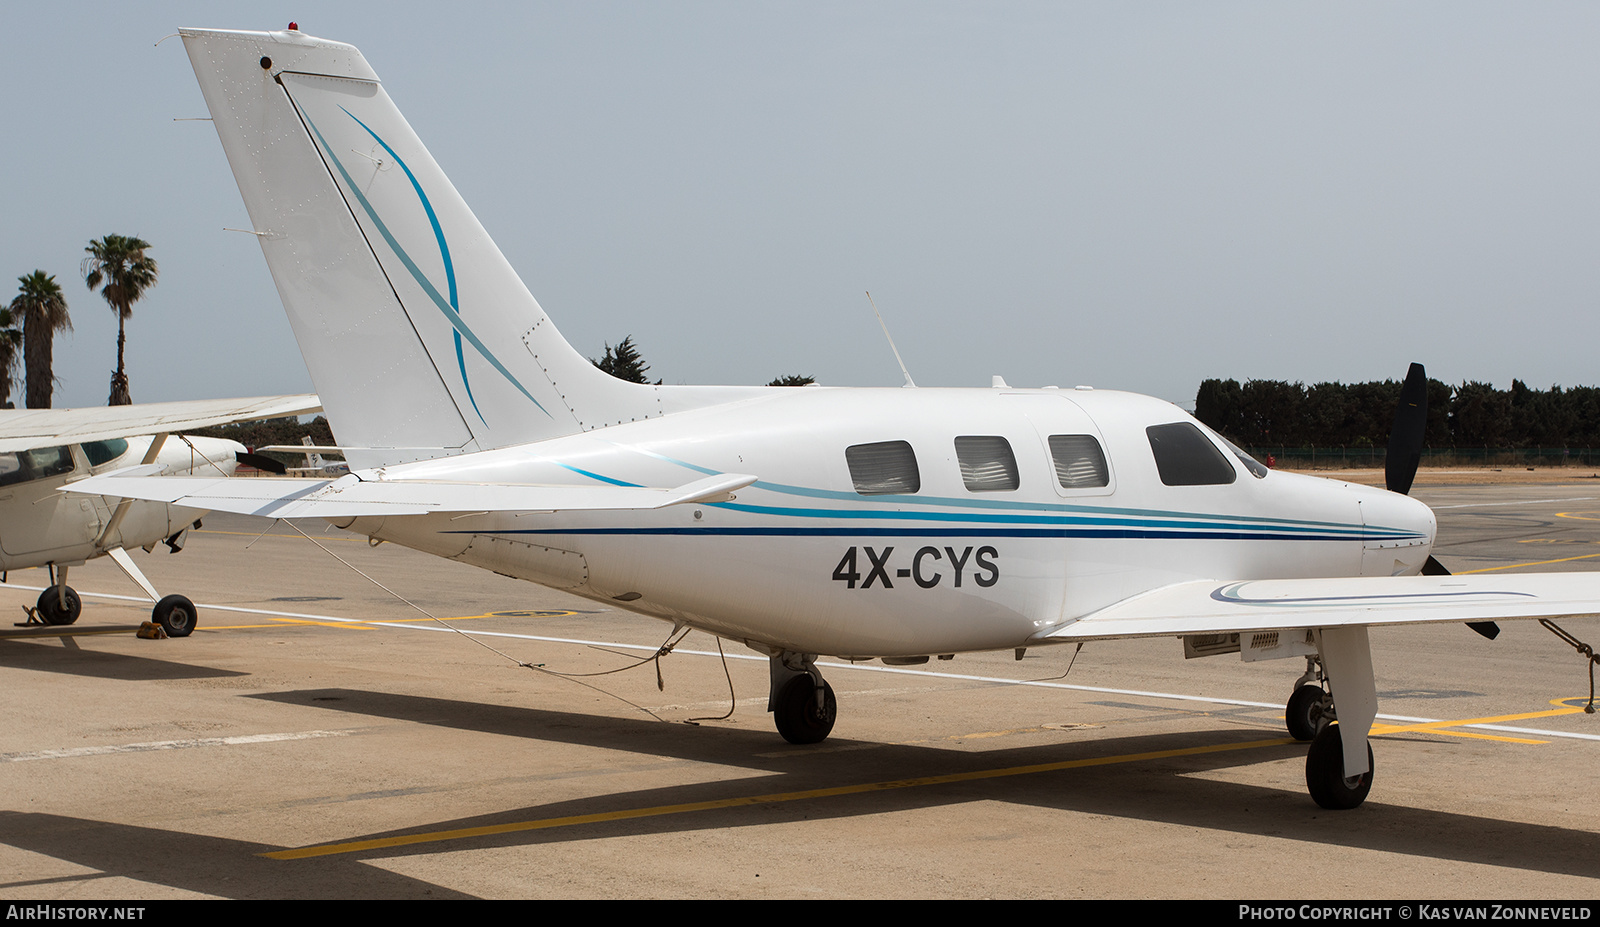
<point>894,524</point>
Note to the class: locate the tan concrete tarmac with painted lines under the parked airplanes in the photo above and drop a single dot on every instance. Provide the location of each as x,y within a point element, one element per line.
<point>321,737</point>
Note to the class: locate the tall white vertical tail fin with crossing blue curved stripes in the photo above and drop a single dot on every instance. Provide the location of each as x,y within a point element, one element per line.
<point>420,337</point>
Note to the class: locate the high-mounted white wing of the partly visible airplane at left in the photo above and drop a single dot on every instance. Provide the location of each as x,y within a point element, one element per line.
<point>30,428</point>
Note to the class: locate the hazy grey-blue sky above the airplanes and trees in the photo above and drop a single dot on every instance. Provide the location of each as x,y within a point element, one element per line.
<point>1132,196</point>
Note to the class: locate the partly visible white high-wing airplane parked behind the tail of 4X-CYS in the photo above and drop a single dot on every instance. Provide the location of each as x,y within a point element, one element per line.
<point>44,451</point>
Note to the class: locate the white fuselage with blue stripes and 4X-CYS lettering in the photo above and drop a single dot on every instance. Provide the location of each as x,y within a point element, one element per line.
<point>911,523</point>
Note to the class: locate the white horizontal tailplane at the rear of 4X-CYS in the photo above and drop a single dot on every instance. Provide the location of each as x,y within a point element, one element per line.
<point>351,496</point>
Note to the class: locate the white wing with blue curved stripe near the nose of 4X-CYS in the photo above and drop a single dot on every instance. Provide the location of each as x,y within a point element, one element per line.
<point>1217,608</point>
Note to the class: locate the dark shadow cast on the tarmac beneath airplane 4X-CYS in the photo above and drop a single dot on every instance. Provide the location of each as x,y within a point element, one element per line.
<point>1156,790</point>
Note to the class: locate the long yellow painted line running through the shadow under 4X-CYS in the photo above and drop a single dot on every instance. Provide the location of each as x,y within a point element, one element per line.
<point>748,801</point>
